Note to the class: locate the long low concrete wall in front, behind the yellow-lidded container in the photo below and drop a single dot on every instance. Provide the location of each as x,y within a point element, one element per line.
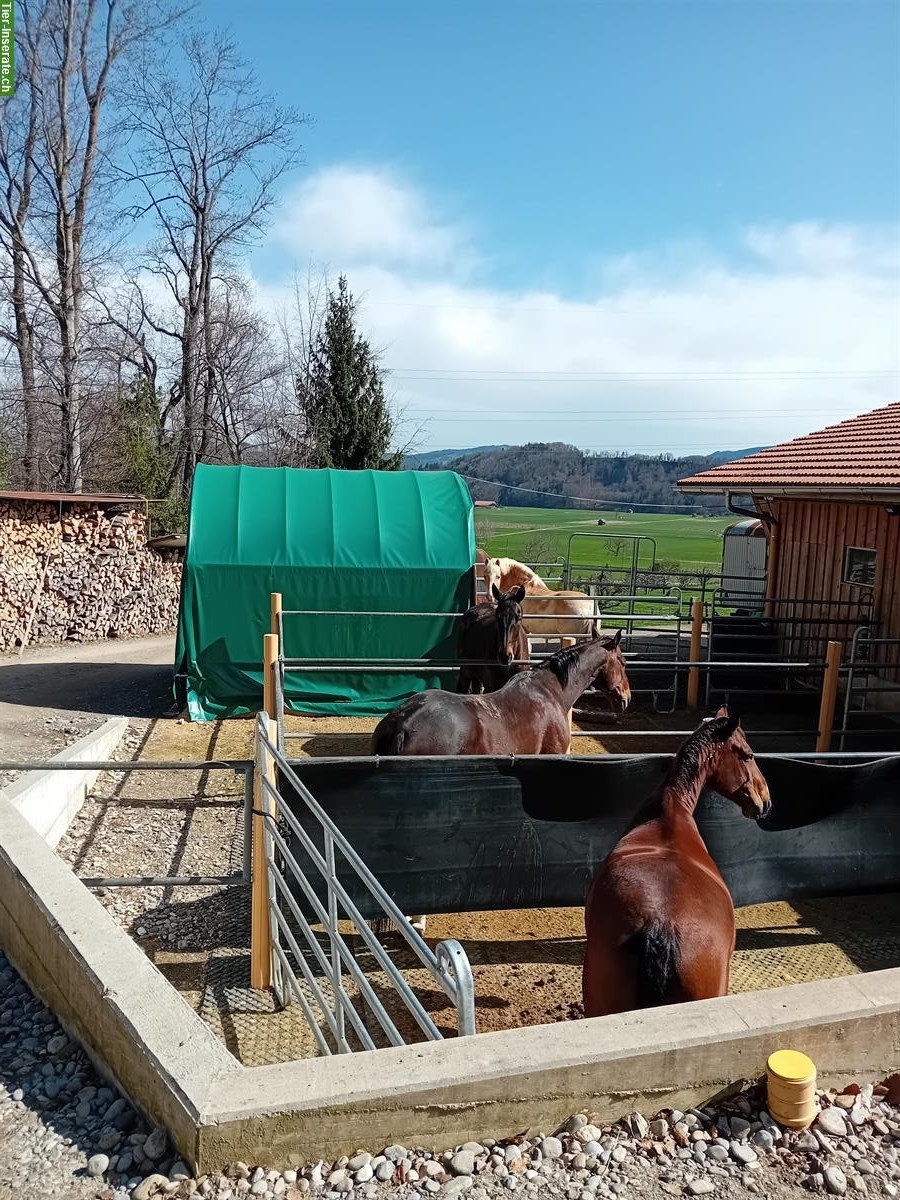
<point>502,1084</point>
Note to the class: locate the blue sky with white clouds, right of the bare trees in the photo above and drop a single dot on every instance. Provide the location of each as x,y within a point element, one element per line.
<point>676,189</point>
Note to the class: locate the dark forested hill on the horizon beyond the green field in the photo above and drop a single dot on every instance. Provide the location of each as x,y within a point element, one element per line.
<point>611,479</point>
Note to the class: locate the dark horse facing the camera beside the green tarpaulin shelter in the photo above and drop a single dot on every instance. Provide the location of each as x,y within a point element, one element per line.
<point>495,634</point>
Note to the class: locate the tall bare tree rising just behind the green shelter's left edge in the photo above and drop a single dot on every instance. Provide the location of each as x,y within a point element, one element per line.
<point>209,153</point>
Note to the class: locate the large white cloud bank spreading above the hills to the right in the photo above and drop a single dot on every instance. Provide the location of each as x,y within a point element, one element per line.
<point>797,328</point>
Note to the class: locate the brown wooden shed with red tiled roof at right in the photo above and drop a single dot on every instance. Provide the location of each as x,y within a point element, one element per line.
<point>831,505</point>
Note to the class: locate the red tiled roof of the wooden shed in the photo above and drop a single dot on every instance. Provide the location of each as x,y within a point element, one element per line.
<point>860,454</point>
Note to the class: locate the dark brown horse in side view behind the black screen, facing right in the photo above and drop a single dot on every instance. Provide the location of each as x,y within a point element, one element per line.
<point>527,716</point>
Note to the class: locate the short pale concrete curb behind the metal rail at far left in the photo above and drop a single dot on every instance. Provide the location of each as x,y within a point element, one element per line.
<point>51,800</point>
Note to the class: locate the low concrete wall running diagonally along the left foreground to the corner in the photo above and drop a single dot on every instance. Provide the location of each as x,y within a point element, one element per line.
<point>103,987</point>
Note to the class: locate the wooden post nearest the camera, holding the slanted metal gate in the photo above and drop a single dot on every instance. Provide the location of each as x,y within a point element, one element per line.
<point>261,934</point>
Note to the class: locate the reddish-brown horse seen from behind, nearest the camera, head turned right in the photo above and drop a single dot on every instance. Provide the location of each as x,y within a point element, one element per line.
<point>659,919</point>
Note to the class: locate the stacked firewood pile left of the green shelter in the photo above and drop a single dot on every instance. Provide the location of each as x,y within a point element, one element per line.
<point>83,578</point>
